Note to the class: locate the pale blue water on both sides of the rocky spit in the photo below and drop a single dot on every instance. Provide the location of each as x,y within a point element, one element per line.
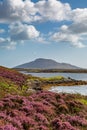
<point>66,89</point>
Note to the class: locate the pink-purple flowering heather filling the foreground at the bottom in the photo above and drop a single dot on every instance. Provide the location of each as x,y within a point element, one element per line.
<point>41,111</point>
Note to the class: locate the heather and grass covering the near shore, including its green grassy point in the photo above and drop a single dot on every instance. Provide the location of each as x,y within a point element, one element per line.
<point>21,109</point>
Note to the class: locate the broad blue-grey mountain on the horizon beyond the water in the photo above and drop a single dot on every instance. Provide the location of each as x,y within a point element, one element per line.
<point>46,64</point>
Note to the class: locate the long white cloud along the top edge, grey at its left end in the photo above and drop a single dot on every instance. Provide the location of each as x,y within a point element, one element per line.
<point>27,11</point>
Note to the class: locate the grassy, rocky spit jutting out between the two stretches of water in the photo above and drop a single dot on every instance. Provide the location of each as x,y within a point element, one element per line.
<point>37,83</point>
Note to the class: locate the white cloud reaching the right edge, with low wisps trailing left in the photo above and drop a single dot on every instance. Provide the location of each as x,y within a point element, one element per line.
<point>76,32</point>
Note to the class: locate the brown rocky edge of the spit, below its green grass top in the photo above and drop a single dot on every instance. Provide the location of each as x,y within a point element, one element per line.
<point>38,84</point>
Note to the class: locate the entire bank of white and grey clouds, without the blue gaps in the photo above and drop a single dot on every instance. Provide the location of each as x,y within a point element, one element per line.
<point>21,14</point>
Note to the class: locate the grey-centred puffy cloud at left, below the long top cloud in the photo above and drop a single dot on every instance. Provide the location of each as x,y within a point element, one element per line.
<point>18,34</point>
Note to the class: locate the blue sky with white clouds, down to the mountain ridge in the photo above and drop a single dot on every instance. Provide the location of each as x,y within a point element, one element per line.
<point>51,29</point>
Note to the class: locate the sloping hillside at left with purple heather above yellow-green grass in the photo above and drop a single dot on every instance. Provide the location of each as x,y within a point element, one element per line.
<point>11,82</point>
